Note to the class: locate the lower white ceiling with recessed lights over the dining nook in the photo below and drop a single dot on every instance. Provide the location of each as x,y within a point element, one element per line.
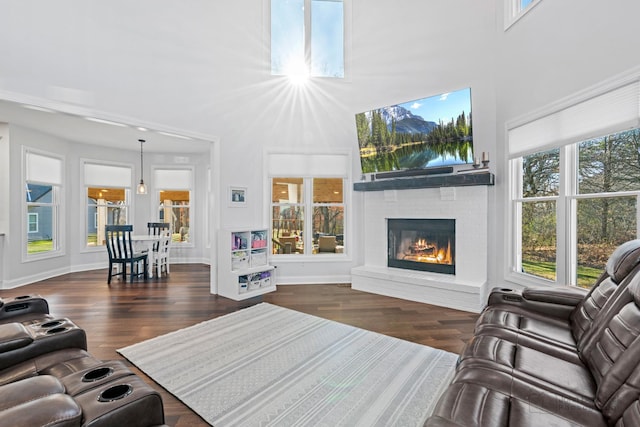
<point>78,129</point>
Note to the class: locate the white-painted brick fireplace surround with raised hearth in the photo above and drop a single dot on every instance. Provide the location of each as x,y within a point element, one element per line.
<point>466,206</point>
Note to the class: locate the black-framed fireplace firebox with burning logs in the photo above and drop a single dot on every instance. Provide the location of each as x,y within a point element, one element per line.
<point>422,244</point>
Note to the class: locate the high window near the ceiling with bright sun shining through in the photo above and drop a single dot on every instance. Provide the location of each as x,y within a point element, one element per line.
<point>307,38</point>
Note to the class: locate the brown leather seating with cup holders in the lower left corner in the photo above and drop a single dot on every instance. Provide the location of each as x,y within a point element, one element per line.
<point>47,377</point>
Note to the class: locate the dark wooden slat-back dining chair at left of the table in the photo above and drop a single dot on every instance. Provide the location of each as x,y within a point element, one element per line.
<point>120,250</point>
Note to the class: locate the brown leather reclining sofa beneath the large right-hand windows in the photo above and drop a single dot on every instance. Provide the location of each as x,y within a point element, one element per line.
<point>553,357</point>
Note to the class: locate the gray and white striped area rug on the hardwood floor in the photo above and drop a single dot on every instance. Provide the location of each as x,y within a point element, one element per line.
<point>268,365</point>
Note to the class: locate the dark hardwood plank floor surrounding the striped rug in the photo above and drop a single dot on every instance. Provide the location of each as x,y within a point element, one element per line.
<point>122,314</point>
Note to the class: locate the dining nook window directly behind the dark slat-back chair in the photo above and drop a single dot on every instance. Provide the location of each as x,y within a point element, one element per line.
<point>107,194</point>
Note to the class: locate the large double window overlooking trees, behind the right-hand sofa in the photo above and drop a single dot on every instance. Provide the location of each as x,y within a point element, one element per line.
<point>575,183</point>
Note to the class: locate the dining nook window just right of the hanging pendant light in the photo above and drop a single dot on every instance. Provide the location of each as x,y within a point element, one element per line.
<point>174,187</point>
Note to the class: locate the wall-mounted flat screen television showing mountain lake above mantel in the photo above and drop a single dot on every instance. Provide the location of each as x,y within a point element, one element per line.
<point>425,133</point>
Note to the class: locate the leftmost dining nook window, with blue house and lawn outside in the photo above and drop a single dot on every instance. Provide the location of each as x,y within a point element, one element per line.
<point>43,181</point>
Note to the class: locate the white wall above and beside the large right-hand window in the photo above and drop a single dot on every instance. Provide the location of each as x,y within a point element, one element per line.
<point>558,49</point>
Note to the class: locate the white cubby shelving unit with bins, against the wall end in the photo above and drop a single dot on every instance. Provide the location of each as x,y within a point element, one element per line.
<point>243,264</point>
